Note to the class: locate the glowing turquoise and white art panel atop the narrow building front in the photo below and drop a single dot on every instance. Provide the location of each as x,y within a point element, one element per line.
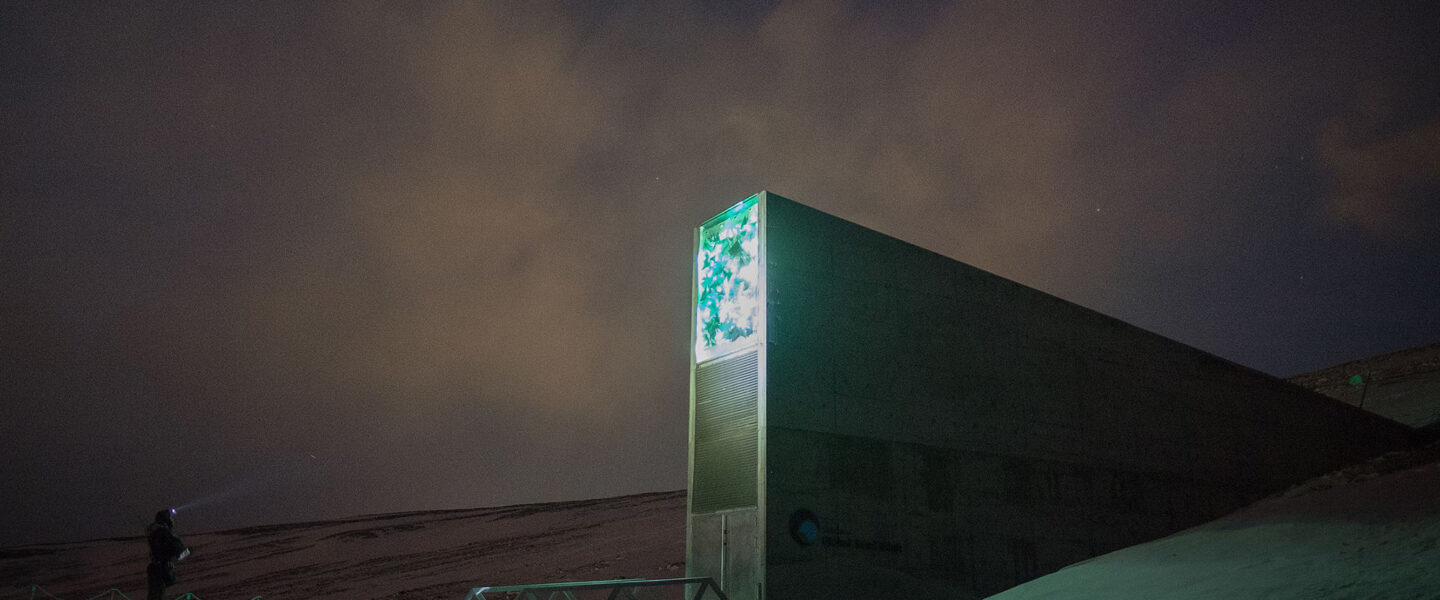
<point>728,273</point>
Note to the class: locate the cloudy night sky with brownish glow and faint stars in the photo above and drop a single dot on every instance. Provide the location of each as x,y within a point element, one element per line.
<point>313,261</point>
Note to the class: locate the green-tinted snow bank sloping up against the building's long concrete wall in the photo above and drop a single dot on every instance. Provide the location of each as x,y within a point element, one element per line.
<point>1370,532</point>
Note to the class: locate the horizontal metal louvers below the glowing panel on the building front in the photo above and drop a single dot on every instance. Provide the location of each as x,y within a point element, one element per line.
<point>728,395</point>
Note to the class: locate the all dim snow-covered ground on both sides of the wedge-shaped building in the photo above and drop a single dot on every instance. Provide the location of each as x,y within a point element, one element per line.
<point>1369,532</point>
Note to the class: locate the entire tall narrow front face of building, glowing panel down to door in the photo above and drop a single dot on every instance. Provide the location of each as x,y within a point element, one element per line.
<point>726,484</point>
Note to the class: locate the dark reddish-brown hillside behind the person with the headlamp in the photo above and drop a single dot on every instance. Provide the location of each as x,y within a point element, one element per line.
<point>438,555</point>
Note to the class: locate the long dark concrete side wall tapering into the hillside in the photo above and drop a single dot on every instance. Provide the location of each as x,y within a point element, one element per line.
<point>958,434</point>
